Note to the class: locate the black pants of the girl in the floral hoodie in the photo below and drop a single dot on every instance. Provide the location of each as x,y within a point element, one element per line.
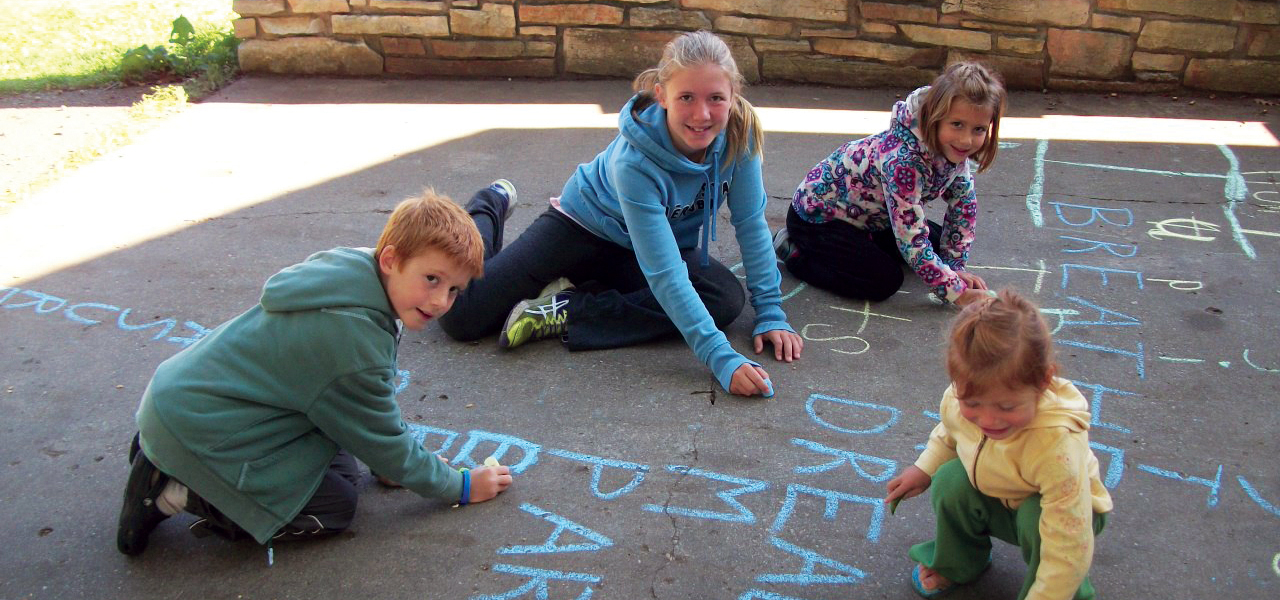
<point>848,262</point>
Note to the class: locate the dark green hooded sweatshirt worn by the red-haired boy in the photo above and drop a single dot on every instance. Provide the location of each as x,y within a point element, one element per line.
<point>252,415</point>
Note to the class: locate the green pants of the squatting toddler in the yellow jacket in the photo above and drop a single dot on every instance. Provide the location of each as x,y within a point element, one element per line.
<point>967,520</point>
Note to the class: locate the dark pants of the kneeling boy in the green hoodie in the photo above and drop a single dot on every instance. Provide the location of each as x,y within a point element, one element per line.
<point>331,510</point>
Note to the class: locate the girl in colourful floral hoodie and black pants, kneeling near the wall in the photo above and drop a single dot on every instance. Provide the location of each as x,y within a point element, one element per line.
<point>860,214</point>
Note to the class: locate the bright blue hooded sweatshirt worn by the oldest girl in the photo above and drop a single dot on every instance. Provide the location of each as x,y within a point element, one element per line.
<point>643,195</point>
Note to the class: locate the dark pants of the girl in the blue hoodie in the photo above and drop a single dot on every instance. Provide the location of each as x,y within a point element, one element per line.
<point>614,306</point>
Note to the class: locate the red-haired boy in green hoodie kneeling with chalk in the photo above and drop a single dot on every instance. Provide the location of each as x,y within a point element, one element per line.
<point>257,428</point>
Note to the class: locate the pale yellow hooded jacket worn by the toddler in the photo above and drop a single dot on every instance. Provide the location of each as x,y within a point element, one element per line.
<point>1050,457</point>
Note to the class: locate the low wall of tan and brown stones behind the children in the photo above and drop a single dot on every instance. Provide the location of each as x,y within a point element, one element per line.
<point>1084,45</point>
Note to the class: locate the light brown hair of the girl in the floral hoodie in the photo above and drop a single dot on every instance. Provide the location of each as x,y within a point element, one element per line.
<point>976,85</point>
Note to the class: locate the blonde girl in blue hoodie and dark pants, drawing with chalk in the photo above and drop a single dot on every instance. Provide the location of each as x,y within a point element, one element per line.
<point>630,232</point>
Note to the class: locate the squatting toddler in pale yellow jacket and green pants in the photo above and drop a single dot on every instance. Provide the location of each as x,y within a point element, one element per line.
<point>1011,459</point>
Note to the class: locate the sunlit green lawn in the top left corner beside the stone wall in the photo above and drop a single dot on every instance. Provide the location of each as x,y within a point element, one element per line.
<point>80,44</point>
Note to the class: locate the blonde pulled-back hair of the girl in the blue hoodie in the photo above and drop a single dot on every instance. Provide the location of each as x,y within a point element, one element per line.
<point>743,132</point>
